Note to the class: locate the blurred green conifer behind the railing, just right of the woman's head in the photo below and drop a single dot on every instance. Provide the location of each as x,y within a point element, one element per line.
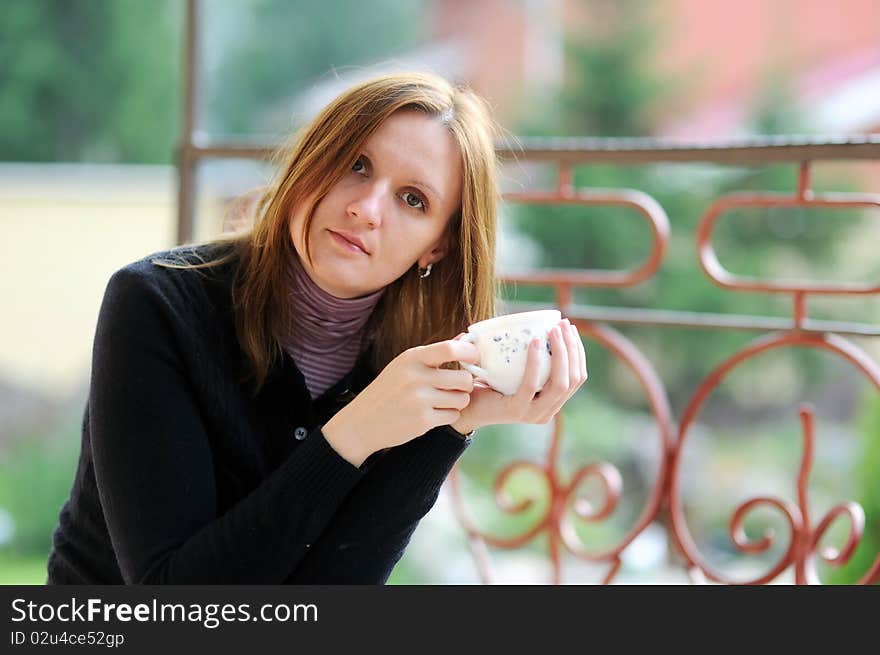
<point>610,89</point>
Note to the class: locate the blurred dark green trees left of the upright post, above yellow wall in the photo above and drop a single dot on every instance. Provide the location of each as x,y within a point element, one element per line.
<point>89,80</point>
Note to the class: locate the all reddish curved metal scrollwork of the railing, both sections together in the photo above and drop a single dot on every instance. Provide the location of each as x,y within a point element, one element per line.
<point>565,510</point>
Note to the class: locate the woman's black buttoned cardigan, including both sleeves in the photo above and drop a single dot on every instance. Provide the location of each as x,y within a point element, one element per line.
<point>186,477</point>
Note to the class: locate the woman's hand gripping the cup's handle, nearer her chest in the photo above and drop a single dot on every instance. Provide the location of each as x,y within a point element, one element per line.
<point>409,397</point>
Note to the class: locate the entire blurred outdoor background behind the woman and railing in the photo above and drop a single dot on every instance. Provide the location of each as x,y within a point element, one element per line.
<point>90,119</point>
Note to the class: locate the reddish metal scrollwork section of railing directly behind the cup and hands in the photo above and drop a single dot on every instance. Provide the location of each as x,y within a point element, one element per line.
<point>564,507</point>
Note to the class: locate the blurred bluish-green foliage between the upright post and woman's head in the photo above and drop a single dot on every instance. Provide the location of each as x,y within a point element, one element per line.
<point>268,51</point>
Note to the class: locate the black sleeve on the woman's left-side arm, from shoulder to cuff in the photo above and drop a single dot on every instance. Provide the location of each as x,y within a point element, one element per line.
<point>153,462</point>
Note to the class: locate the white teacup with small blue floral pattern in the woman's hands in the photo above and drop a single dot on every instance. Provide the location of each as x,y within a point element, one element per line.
<point>503,343</point>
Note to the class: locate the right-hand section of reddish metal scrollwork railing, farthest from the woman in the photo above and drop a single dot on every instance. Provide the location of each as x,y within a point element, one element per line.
<point>804,539</point>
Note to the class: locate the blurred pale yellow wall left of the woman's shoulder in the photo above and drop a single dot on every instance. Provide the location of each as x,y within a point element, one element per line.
<point>65,229</point>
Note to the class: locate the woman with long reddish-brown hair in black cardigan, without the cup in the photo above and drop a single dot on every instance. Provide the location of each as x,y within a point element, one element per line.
<point>281,405</point>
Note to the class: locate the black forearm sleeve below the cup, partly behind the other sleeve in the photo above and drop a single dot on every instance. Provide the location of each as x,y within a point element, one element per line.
<point>369,533</point>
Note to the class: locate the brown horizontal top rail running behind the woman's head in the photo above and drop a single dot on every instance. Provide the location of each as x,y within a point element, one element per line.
<point>587,150</point>
